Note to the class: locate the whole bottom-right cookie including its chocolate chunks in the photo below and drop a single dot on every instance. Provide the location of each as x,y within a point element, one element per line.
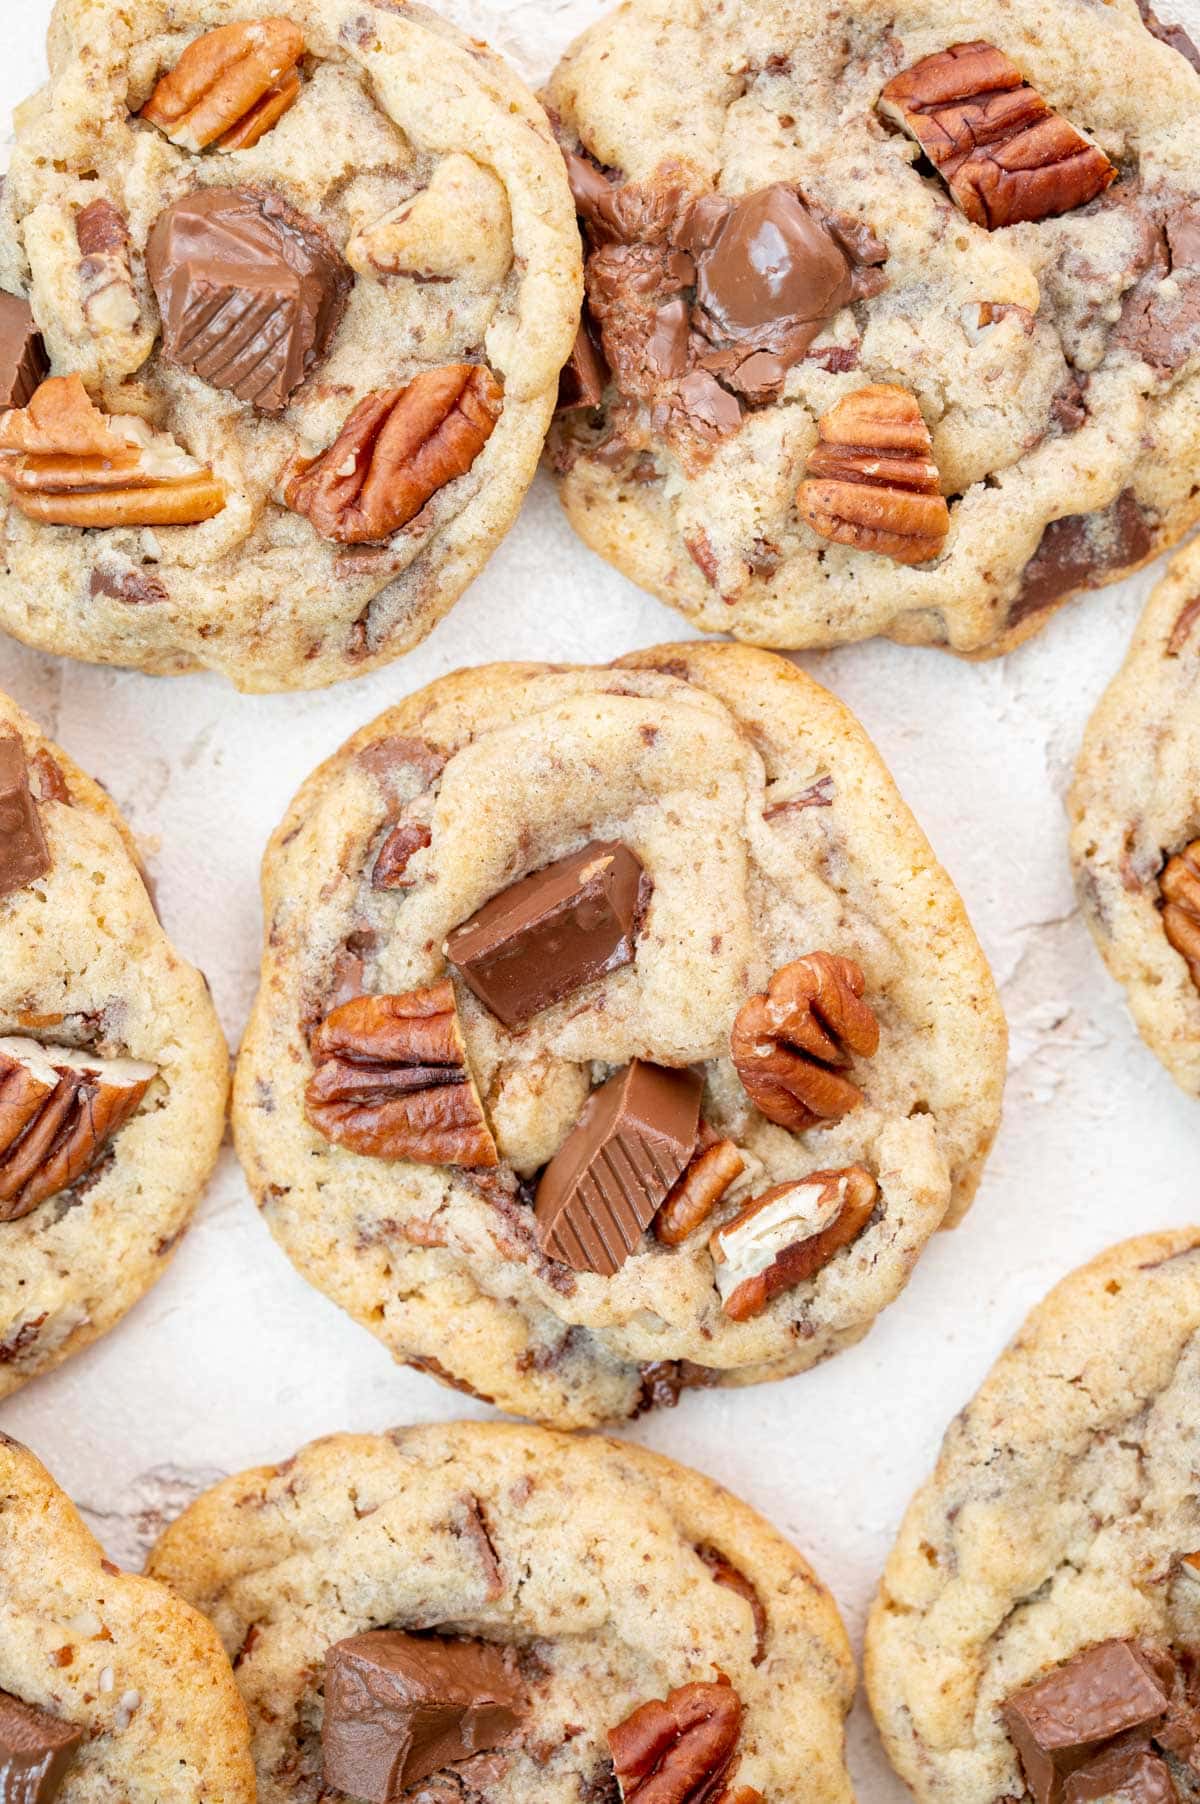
<point>1038,1623</point>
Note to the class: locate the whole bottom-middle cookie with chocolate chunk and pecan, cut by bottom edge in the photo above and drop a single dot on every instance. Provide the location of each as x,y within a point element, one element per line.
<point>501,1612</point>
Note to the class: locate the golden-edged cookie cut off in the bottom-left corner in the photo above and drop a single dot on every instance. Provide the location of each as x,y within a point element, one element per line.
<point>113,1684</point>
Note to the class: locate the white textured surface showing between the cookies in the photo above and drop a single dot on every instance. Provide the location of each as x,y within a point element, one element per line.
<point>234,1359</point>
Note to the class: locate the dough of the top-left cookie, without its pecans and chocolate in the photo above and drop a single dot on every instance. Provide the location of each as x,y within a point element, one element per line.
<point>396,102</point>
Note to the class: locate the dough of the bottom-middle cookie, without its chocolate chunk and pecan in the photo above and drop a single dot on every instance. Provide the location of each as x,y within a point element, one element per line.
<point>582,1552</point>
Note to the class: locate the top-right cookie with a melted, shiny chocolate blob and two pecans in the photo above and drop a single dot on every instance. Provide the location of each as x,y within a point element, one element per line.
<point>894,311</point>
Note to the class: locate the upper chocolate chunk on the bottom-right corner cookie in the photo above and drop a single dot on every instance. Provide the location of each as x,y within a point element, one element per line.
<point>1062,1722</point>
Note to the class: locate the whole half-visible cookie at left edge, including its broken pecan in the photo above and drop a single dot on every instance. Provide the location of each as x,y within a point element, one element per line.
<point>113,1067</point>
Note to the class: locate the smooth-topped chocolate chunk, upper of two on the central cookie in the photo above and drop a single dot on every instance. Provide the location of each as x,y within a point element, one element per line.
<point>551,934</point>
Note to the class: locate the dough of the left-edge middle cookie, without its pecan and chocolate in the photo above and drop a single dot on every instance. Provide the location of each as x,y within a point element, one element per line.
<point>86,962</point>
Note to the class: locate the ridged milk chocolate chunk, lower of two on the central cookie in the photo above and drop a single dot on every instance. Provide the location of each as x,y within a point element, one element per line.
<point>605,1184</point>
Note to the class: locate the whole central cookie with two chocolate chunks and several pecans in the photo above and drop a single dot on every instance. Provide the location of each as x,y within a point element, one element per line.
<point>618,1033</point>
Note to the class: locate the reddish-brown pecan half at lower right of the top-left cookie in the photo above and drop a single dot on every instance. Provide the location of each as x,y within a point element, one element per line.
<point>396,452</point>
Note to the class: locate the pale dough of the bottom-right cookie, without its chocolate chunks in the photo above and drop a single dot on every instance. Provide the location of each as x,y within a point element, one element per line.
<point>1062,1500</point>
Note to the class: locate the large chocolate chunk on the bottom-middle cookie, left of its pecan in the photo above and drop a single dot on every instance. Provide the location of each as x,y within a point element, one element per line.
<point>400,1707</point>
